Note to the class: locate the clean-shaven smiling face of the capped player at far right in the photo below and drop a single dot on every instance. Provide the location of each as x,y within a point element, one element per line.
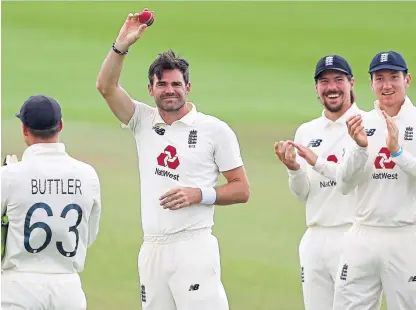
<point>390,86</point>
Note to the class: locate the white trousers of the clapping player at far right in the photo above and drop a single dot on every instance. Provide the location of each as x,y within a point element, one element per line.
<point>376,259</point>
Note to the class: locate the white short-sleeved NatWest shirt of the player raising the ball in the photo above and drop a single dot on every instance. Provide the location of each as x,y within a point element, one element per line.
<point>191,152</point>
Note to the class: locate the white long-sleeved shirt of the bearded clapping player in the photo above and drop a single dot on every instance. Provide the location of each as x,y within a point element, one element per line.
<point>316,186</point>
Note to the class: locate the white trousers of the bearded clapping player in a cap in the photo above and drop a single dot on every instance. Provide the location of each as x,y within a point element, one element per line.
<point>319,253</point>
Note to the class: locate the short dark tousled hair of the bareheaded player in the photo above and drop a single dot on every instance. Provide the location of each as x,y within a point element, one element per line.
<point>168,61</point>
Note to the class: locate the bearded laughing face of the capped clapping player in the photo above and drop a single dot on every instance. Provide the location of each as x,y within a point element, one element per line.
<point>334,90</point>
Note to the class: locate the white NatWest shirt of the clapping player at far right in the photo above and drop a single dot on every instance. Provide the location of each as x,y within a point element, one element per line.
<point>385,186</point>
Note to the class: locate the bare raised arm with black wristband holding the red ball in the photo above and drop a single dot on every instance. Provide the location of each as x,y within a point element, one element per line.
<point>119,101</point>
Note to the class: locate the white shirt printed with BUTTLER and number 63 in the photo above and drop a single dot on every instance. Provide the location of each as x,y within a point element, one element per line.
<point>53,204</point>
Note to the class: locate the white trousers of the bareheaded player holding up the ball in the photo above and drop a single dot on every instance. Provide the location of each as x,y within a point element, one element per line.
<point>181,272</point>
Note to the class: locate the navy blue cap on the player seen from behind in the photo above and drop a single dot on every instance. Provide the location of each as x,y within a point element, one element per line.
<point>40,113</point>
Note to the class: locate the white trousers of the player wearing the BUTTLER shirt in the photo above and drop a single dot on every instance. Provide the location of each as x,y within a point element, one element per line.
<point>33,291</point>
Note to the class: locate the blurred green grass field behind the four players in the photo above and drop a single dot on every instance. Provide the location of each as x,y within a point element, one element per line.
<point>252,65</point>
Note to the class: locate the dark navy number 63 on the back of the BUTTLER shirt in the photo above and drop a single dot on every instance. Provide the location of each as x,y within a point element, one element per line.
<point>41,225</point>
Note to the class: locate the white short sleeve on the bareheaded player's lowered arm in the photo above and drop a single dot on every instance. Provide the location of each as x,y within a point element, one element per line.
<point>227,153</point>
